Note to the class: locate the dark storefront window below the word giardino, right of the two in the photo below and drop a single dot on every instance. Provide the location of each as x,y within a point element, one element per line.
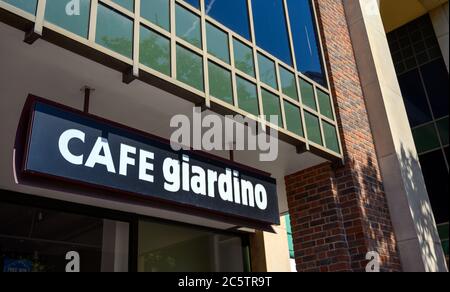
<point>171,248</point>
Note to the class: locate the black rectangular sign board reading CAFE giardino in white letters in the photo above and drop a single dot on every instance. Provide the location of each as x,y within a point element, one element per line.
<point>66,144</point>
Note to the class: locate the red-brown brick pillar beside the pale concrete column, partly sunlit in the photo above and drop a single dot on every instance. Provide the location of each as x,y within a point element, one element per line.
<point>339,214</point>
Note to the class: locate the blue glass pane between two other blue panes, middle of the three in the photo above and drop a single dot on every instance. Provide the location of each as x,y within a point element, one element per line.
<point>270,28</point>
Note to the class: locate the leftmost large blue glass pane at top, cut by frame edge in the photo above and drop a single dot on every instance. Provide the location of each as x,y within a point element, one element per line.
<point>233,14</point>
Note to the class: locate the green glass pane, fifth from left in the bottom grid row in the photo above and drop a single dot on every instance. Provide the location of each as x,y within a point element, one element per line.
<point>190,68</point>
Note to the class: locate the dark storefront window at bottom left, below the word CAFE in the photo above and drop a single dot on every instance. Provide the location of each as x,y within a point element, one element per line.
<point>38,240</point>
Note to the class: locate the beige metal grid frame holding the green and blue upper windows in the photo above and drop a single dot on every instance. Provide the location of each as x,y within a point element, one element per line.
<point>40,24</point>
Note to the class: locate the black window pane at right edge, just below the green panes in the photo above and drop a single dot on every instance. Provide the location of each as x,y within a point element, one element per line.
<point>436,178</point>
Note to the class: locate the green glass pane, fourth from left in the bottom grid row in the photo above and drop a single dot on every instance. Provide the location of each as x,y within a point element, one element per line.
<point>155,50</point>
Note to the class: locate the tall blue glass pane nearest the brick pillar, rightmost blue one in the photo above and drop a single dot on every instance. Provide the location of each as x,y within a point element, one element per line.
<point>306,44</point>
